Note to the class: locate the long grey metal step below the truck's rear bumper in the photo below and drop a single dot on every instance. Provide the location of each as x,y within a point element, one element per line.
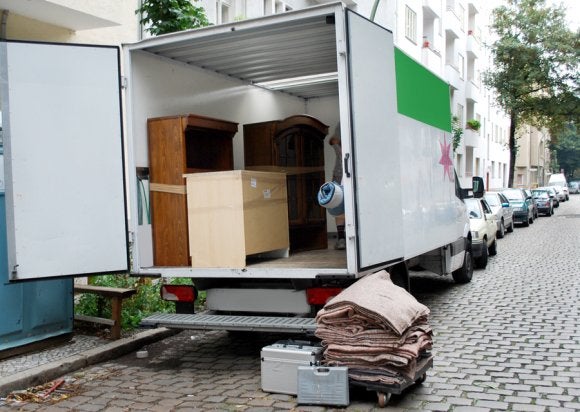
<point>204,321</point>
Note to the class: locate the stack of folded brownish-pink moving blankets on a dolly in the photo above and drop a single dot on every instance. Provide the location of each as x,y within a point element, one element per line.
<point>375,328</point>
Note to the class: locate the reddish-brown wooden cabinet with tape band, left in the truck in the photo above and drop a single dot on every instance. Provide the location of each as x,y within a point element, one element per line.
<point>179,145</point>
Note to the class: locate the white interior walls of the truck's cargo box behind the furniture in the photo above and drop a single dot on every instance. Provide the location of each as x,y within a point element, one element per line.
<point>160,87</point>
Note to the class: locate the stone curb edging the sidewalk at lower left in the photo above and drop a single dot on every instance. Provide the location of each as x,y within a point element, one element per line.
<point>44,373</point>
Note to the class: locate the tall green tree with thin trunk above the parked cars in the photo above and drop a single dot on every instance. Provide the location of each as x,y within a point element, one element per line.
<point>535,70</point>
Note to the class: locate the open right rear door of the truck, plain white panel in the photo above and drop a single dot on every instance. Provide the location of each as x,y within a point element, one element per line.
<point>374,144</point>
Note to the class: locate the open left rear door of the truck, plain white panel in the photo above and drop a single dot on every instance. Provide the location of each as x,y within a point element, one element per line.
<point>63,152</point>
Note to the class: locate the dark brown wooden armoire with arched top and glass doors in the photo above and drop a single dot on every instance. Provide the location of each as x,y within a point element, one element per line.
<point>295,146</point>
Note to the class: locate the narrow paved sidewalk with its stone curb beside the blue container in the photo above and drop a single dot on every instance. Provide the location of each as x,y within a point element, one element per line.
<point>31,369</point>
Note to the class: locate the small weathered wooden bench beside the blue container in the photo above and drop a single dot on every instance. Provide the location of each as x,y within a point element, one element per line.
<point>116,295</point>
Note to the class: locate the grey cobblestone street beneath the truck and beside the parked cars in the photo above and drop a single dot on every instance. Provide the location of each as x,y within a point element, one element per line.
<point>509,340</point>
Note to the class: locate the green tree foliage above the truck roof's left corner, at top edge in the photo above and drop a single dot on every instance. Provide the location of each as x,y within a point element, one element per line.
<point>168,16</point>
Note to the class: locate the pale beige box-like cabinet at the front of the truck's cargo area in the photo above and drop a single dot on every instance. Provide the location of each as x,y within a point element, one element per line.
<point>235,213</point>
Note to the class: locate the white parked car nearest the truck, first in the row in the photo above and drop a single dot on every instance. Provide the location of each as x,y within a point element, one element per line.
<point>483,227</point>
